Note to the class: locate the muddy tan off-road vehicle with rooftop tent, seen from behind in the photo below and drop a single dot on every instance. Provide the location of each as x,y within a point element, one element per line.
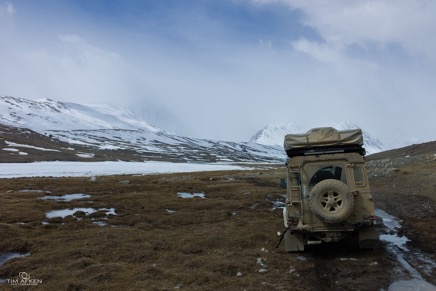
<point>328,195</point>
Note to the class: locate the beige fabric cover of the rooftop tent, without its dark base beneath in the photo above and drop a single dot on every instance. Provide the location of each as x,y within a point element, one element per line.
<point>323,136</point>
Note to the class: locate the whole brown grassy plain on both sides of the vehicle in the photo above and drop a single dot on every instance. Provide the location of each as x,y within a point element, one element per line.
<point>159,241</point>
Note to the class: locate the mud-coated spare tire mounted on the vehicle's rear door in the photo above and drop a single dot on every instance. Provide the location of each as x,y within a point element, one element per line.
<point>331,201</point>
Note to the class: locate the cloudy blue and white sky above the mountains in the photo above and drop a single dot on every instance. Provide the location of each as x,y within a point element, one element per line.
<point>226,68</point>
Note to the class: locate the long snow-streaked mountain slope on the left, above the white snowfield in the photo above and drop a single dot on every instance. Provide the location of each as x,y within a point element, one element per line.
<point>110,128</point>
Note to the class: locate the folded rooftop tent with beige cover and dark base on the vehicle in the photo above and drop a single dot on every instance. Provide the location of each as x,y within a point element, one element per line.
<point>322,138</point>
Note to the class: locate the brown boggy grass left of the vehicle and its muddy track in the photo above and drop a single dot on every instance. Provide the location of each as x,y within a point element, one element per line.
<point>201,245</point>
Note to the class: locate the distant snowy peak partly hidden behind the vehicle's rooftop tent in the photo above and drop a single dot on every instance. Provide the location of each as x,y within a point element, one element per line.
<point>273,135</point>
